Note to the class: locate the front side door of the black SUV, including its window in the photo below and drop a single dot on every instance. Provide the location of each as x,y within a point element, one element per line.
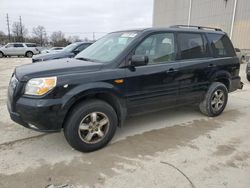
<point>155,85</point>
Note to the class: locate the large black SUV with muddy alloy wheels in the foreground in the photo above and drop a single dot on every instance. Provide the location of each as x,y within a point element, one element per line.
<point>125,73</point>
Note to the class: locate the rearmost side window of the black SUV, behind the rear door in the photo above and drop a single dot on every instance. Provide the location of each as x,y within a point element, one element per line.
<point>221,45</point>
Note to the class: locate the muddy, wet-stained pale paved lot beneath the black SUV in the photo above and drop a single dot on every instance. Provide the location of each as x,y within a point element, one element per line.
<point>171,148</point>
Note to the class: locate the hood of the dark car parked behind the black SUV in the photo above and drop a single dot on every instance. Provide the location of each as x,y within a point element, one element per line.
<point>52,55</point>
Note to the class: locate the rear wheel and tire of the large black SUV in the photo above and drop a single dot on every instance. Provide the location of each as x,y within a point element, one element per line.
<point>215,100</point>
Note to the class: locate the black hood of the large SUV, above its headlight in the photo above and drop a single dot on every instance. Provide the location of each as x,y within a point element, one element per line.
<point>55,68</point>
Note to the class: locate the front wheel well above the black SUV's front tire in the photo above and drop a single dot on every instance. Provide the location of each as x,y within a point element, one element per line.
<point>111,99</point>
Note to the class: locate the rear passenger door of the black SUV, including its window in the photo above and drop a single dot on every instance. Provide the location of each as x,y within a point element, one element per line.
<point>195,66</point>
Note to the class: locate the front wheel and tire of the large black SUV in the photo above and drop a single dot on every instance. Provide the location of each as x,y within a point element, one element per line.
<point>79,136</point>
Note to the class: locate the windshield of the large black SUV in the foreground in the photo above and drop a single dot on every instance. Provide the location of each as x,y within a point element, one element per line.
<point>108,47</point>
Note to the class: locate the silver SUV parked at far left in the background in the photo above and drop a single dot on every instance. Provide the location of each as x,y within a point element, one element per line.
<point>19,49</point>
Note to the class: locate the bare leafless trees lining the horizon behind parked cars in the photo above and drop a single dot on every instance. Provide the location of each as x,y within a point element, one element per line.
<point>19,33</point>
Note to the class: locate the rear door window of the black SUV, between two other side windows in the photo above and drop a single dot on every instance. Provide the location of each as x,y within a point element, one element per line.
<point>192,45</point>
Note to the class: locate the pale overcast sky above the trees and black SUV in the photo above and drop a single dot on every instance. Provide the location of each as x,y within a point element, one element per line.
<point>78,17</point>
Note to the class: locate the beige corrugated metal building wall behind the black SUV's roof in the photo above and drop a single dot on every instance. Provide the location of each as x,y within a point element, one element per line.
<point>232,16</point>
